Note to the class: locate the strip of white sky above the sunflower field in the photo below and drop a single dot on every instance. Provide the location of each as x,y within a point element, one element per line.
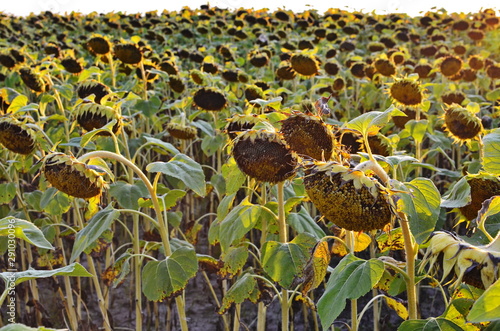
<point>412,7</point>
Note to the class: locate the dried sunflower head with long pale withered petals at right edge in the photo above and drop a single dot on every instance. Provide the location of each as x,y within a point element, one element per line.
<point>471,264</point>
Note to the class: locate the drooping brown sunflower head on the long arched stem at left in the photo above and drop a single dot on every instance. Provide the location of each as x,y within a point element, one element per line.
<point>70,176</point>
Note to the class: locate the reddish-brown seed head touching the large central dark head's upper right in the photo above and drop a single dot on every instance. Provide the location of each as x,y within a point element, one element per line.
<point>307,135</point>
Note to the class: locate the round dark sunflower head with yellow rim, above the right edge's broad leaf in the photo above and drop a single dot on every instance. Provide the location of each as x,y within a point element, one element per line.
<point>461,123</point>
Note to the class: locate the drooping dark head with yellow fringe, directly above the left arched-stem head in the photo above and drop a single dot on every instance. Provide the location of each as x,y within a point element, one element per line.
<point>91,115</point>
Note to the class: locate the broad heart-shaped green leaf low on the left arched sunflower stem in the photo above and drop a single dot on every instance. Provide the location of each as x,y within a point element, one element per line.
<point>167,278</point>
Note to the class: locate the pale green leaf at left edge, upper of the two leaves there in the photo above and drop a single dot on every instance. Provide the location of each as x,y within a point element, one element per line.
<point>24,230</point>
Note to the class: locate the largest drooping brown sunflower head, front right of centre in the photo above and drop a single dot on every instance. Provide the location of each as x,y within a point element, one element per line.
<point>348,198</point>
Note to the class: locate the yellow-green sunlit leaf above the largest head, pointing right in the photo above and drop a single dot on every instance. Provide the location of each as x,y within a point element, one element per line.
<point>370,123</point>
